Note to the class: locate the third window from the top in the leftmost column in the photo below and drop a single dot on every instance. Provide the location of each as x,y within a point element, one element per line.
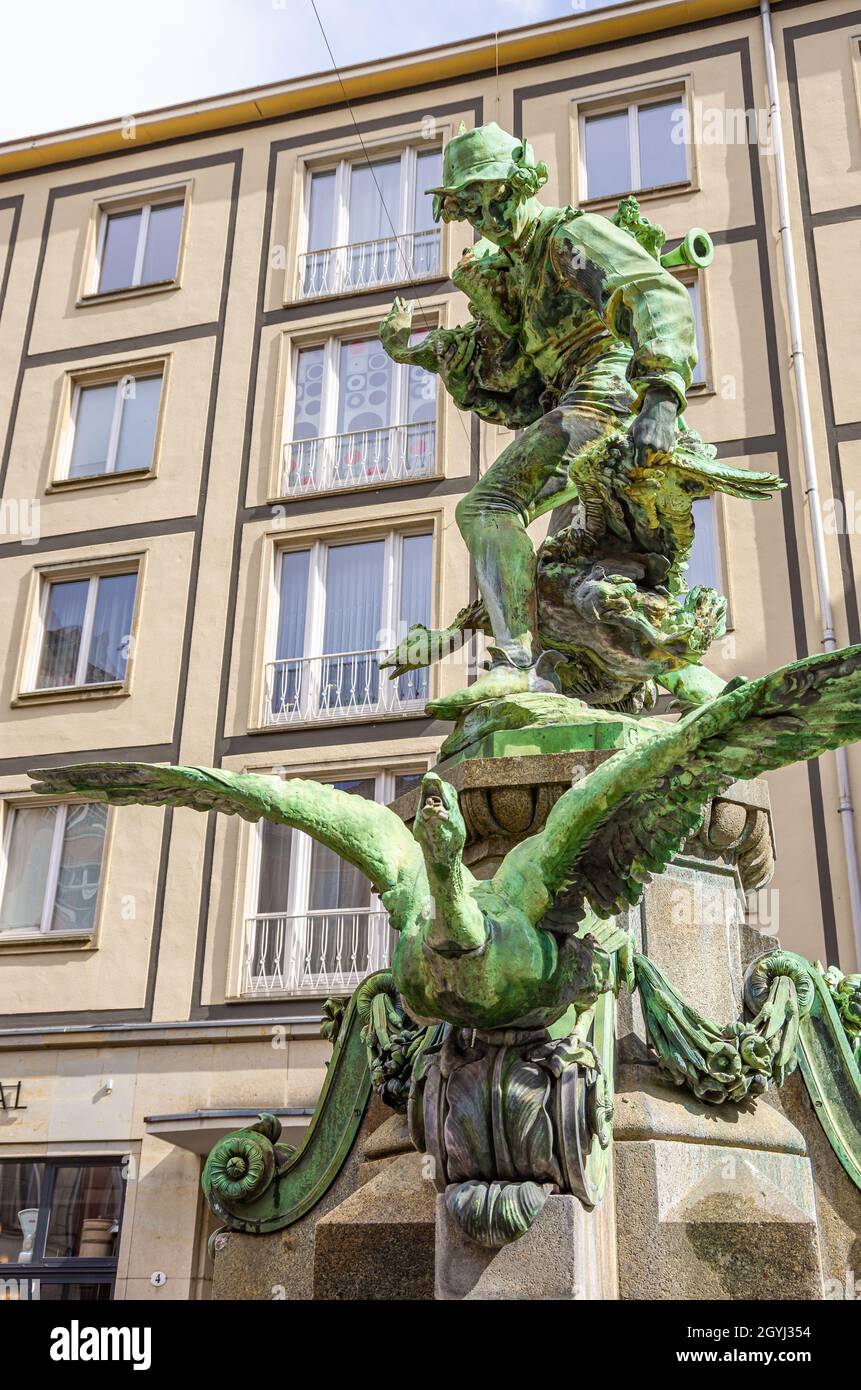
<point>86,632</point>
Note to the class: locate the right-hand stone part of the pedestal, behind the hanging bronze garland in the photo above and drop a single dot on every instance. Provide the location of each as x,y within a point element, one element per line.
<point>711,1202</point>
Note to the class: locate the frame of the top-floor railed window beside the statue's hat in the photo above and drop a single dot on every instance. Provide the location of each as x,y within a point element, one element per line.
<point>341,163</point>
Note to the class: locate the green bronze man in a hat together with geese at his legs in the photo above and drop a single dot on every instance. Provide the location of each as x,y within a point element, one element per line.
<point>585,343</point>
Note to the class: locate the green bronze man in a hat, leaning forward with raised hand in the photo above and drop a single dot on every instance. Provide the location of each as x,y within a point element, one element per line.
<point>578,332</point>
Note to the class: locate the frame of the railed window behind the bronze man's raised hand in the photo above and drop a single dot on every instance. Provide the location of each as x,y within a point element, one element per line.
<point>330,343</point>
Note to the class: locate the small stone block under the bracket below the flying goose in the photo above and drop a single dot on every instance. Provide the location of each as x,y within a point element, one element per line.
<point>570,1254</point>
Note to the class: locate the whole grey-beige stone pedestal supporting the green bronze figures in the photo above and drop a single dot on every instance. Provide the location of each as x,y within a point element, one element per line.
<point>707,1203</point>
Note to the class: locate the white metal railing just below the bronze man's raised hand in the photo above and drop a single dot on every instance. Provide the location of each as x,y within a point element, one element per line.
<point>351,461</point>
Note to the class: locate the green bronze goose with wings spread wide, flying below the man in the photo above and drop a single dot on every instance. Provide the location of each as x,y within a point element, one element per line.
<point>525,947</point>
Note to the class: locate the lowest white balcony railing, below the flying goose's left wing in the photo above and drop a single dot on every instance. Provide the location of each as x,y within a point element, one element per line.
<point>315,953</point>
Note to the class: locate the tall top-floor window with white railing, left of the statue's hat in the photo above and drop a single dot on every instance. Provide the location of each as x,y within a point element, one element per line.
<point>371,223</point>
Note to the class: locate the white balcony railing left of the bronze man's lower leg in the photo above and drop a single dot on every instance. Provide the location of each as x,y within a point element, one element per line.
<point>307,690</point>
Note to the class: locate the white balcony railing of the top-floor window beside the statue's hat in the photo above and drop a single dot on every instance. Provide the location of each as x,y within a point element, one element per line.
<point>390,261</point>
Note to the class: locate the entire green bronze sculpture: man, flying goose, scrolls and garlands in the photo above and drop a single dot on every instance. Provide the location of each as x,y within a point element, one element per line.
<point>494,1028</point>
